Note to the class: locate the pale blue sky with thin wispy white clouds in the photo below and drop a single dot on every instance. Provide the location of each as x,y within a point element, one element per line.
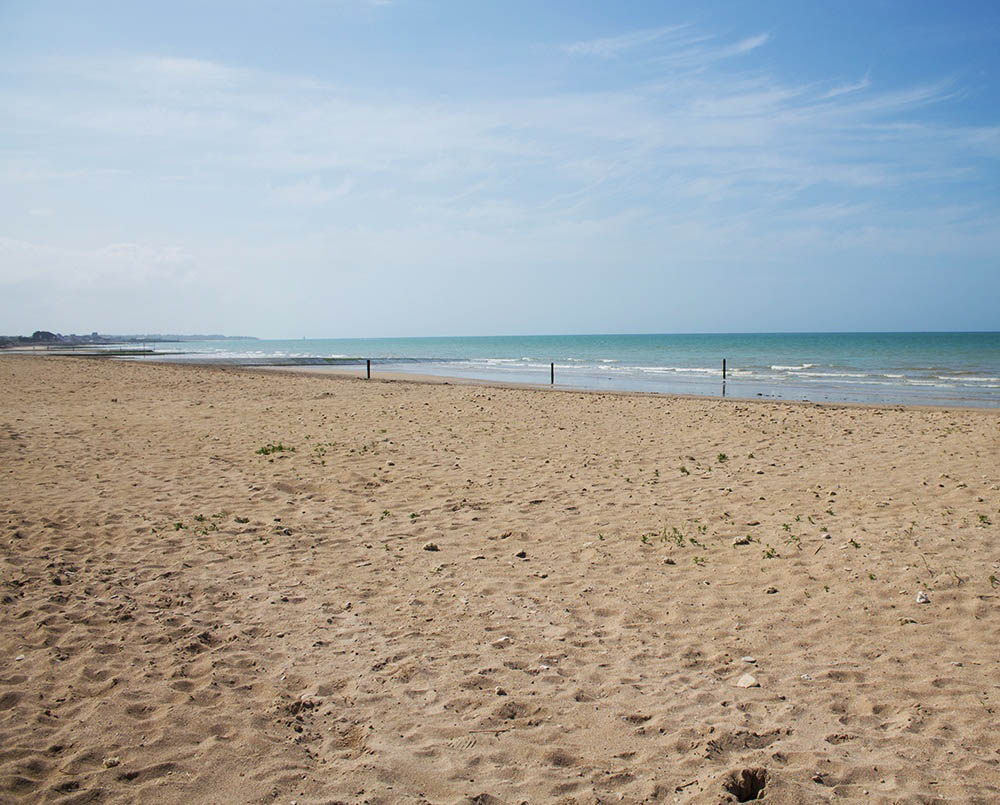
<point>354,168</point>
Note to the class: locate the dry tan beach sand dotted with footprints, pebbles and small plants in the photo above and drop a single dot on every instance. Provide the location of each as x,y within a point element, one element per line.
<point>187,619</point>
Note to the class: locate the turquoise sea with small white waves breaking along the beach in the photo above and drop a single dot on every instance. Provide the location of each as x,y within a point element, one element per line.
<point>938,369</point>
